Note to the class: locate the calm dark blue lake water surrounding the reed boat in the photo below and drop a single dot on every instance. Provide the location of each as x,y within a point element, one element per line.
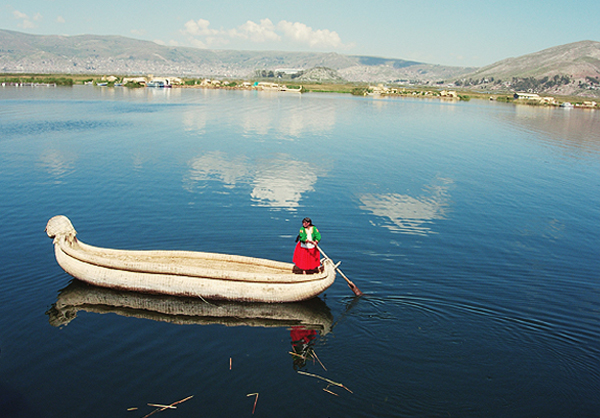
<point>473,228</point>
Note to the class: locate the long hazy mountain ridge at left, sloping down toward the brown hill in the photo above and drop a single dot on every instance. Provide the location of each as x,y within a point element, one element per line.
<point>90,54</point>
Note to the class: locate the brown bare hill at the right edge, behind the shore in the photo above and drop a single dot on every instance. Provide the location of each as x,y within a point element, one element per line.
<point>572,69</point>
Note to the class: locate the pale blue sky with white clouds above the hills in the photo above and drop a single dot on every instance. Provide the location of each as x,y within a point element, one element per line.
<point>465,33</point>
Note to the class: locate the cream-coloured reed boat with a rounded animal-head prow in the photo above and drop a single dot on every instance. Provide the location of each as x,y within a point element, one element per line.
<point>185,273</point>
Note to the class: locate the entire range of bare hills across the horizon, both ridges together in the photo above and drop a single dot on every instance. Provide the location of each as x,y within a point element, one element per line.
<point>572,69</point>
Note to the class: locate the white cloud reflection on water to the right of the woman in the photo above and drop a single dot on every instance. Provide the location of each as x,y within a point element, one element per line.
<point>410,215</point>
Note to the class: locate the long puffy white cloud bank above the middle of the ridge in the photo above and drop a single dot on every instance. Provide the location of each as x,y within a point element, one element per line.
<point>201,35</point>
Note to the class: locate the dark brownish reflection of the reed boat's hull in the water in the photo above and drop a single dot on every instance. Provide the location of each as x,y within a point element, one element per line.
<point>78,296</point>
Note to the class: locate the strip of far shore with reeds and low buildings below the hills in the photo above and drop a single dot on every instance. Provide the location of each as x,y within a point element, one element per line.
<point>454,93</point>
